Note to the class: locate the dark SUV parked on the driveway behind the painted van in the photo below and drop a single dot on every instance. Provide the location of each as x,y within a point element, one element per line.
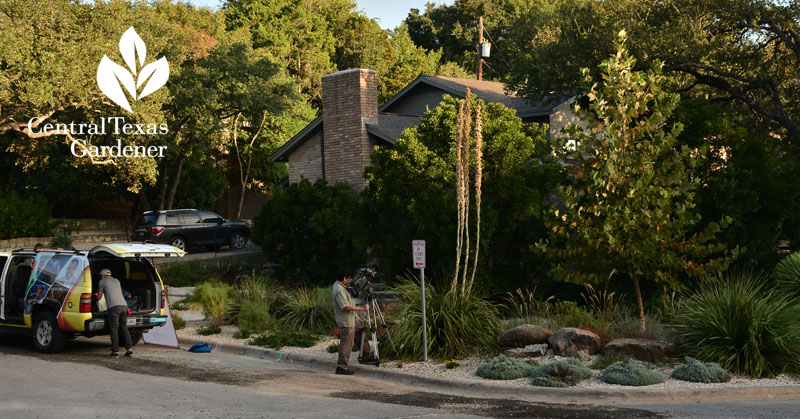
<point>190,227</point>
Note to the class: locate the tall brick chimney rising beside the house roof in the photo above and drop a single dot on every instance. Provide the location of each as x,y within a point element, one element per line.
<point>349,99</point>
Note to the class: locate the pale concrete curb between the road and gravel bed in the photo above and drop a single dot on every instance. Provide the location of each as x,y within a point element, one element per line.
<point>538,394</point>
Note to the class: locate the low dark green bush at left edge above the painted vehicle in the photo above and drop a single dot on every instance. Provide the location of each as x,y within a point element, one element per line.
<point>23,217</point>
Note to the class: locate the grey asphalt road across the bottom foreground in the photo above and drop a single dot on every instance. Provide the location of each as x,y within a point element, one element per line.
<point>161,382</point>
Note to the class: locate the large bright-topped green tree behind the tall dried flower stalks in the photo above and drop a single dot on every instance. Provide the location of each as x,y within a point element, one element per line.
<point>411,194</point>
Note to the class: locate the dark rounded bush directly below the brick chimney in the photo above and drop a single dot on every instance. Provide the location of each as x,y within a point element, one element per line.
<point>309,229</point>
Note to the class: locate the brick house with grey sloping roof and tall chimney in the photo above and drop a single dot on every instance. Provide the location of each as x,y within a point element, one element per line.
<point>337,145</point>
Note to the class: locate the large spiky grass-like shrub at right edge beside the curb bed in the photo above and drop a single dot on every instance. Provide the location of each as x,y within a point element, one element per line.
<point>741,324</point>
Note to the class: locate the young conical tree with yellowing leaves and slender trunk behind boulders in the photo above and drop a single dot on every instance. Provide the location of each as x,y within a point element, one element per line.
<point>631,206</point>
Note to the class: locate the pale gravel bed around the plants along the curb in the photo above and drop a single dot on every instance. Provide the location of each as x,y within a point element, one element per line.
<point>466,370</point>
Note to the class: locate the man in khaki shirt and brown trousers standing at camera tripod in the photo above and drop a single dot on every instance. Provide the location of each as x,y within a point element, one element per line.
<point>350,329</point>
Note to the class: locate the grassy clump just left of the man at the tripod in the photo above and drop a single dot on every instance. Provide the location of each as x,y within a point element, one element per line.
<point>309,309</point>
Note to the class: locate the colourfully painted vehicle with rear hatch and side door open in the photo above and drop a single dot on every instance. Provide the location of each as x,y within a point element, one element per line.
<point>50,294</point>
